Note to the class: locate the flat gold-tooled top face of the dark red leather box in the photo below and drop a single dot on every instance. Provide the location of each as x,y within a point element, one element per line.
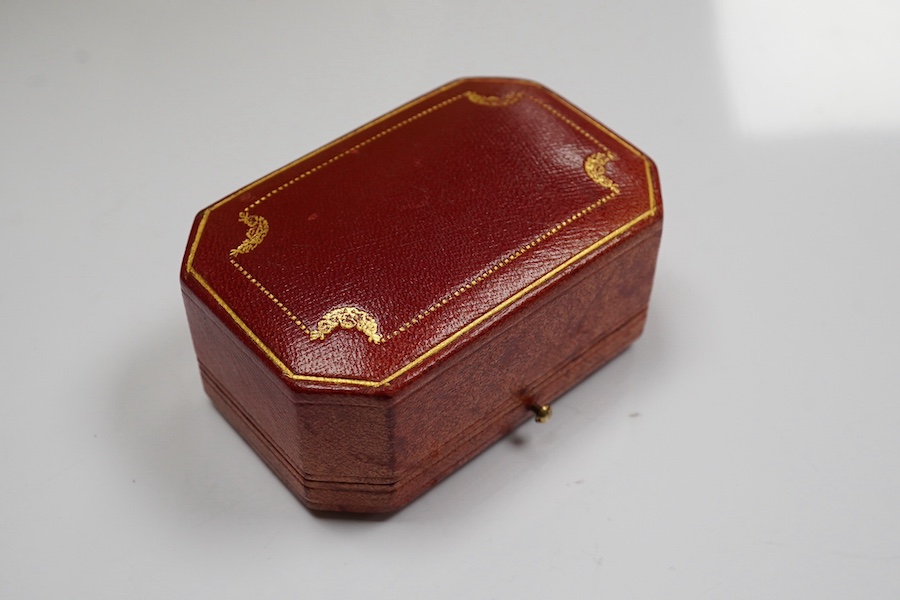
<point>360,265</point>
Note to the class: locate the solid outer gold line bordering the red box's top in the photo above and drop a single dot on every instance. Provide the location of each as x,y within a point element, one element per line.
<point>650,212</point>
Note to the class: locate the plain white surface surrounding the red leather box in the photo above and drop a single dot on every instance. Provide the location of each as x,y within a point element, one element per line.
<point>746,447</point>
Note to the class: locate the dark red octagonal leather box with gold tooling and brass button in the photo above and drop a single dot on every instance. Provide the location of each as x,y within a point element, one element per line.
<point>376,313</point>
